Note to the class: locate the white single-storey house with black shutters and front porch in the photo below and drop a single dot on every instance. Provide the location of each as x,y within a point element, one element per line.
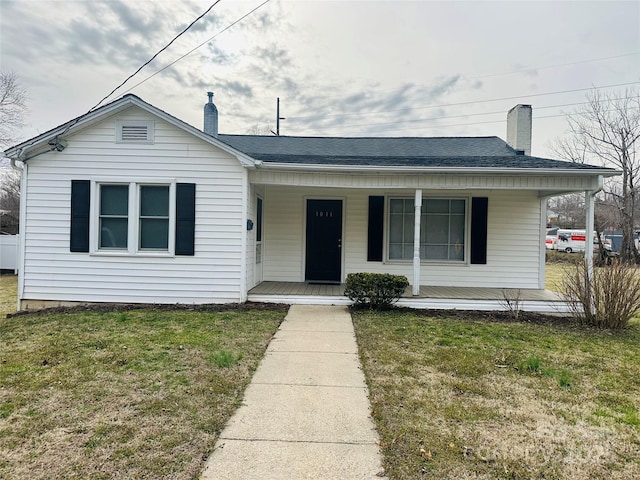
<point>129,204</point>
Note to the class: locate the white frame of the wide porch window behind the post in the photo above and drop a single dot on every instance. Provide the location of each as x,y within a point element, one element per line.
<point>467,227</point>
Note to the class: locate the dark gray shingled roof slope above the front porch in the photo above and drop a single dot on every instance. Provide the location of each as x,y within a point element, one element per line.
<point>443,152</point>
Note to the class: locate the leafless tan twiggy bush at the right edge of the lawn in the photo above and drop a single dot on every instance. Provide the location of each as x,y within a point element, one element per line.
<point>609,299</point>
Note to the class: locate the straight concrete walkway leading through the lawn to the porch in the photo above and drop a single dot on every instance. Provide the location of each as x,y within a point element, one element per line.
<point>305,414</point>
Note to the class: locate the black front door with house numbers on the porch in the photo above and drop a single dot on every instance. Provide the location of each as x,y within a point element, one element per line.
<point>324,240</point>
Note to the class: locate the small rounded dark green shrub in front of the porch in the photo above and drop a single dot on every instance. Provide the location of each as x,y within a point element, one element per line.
<point>378,290</point>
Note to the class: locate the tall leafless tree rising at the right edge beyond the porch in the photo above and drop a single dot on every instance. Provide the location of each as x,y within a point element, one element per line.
<point>607,131</point>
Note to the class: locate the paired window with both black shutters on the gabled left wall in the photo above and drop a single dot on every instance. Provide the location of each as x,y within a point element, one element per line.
<point>134,218</point>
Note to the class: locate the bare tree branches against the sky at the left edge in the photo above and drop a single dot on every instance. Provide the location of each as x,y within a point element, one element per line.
<point>12,108</point>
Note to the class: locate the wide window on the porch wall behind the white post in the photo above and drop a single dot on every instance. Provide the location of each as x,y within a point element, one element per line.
<point>442,229</point>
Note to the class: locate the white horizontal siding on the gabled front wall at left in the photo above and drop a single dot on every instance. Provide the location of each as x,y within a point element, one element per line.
<point>212,275</point>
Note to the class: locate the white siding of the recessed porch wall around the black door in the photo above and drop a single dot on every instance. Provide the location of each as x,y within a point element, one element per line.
<point>513,249</point>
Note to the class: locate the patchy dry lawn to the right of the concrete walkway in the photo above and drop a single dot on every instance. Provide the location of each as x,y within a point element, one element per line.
<point>461,398</point>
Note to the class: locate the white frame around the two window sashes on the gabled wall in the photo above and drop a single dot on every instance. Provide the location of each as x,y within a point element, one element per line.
<point>133,232</point>
